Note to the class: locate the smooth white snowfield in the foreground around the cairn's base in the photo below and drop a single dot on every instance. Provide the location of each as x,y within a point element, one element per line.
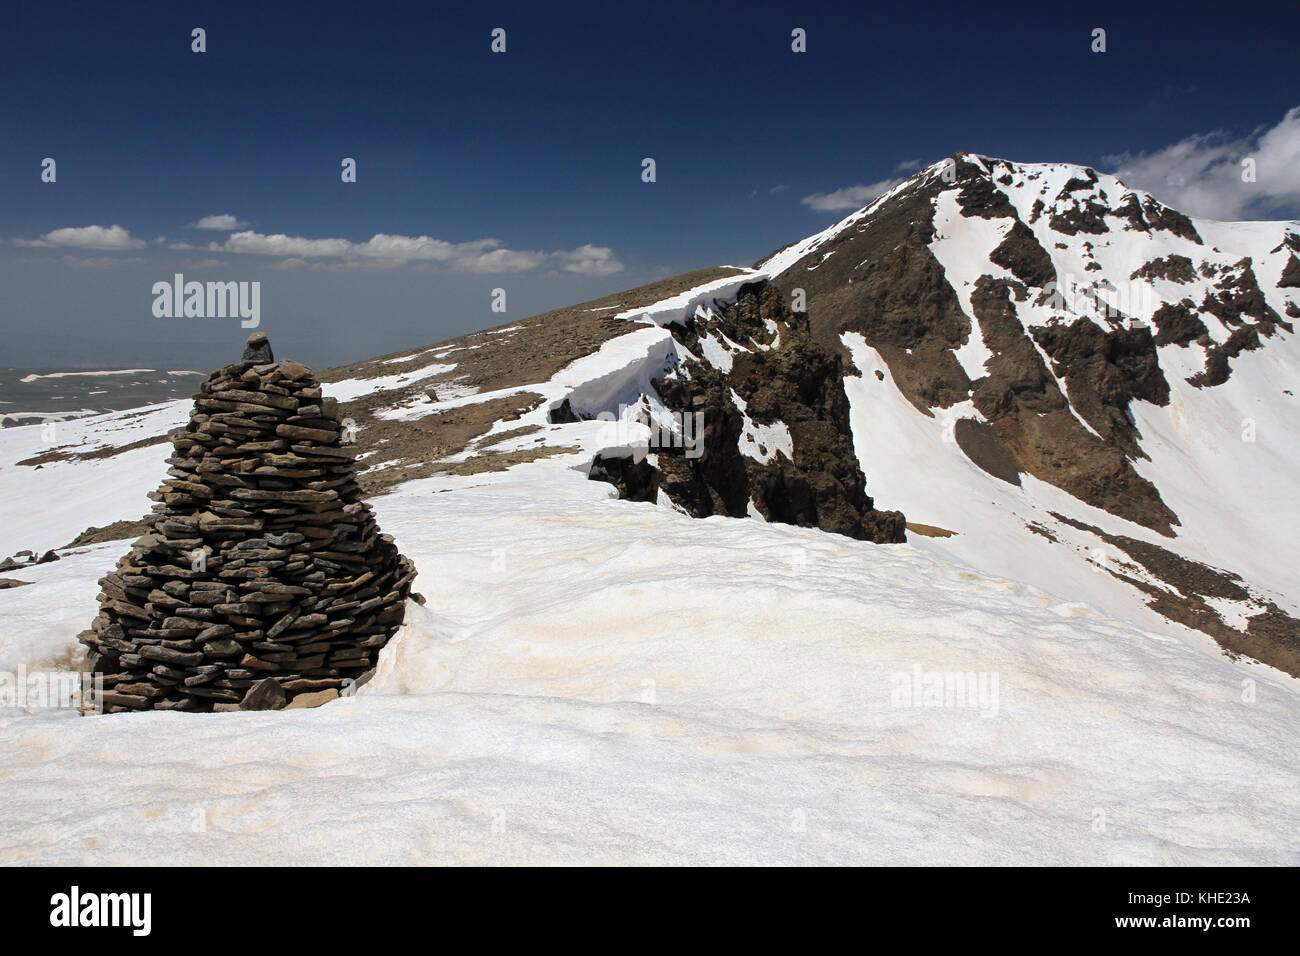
<point>605,682</point>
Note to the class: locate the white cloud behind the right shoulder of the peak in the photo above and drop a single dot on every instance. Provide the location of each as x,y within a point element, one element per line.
<point>1202,175</point>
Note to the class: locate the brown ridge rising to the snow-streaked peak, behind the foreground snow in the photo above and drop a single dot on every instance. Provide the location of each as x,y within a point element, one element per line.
<point>1035,370</point>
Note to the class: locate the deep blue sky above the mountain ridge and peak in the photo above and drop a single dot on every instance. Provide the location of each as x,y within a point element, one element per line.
<point>540,149</point>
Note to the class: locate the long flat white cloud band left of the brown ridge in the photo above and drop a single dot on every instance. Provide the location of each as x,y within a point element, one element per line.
<point>479,256</point>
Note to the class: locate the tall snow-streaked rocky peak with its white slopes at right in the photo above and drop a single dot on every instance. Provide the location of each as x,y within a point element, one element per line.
<point>1095,392</point>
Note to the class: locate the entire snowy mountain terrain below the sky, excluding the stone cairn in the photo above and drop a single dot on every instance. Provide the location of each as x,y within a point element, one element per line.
<point>960,533</point>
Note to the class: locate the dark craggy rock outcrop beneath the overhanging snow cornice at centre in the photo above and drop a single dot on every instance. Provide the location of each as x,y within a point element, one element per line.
<point>775,427</point>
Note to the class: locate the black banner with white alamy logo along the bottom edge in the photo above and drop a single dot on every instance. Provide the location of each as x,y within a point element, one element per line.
<point>145,906</point>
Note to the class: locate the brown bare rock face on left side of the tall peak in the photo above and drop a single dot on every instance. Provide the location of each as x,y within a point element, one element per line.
<point>883,282</point>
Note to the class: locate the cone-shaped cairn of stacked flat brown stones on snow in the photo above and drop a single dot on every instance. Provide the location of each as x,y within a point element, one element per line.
<point>265,581</point>
